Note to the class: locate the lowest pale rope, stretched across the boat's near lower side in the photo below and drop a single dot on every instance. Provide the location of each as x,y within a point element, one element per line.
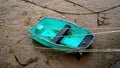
<point>51,49</point>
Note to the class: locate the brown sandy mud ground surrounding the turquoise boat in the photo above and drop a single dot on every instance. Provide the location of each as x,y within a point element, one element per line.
<point>17,16</point>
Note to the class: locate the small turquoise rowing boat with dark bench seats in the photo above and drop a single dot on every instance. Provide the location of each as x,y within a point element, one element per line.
<point>61,35</point>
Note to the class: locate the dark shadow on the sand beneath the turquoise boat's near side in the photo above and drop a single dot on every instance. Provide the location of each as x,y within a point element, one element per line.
<point>59,55</point>
